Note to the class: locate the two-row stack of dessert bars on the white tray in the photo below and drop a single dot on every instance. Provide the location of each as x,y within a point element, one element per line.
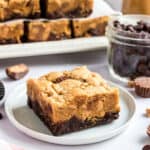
<point>24,21</point>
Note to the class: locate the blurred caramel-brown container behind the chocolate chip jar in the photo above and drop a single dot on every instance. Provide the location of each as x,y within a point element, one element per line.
<point>136,7</point>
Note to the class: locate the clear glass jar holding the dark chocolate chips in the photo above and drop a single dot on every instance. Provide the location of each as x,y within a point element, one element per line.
<point>128,52</point>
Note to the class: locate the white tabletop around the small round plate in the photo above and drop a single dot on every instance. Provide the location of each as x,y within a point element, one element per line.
<point>132,139</point>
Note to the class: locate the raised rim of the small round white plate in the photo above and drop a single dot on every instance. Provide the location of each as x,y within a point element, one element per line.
<point>61,139</point>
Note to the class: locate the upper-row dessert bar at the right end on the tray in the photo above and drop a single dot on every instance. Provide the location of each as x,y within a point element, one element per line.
<point>67,8</point>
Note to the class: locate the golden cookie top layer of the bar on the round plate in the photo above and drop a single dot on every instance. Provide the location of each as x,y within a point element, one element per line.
<point>81,93</point>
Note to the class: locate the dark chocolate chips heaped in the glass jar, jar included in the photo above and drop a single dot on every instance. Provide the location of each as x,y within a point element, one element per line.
<point>129,50</point>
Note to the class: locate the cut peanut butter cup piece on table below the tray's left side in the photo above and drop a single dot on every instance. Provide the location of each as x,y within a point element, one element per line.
<point>18,71</point>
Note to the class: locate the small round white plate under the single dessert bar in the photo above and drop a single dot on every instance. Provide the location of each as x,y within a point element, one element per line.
<point>26,121</point>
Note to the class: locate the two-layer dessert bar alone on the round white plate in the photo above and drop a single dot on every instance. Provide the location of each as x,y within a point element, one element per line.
<point>73,100</point>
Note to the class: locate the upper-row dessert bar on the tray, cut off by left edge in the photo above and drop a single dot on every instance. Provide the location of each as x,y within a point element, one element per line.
<point>13,9</point>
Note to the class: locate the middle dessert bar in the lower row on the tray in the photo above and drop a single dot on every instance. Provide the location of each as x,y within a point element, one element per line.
<point>39,30</point>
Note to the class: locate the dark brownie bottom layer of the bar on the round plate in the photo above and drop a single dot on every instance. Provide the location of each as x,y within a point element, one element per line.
<point>72,125</point>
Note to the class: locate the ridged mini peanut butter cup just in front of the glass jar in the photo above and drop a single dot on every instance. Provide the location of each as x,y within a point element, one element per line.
<point>142,86</point>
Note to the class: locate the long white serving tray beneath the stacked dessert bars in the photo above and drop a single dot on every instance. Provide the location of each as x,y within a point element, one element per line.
<point>101,8</point>
